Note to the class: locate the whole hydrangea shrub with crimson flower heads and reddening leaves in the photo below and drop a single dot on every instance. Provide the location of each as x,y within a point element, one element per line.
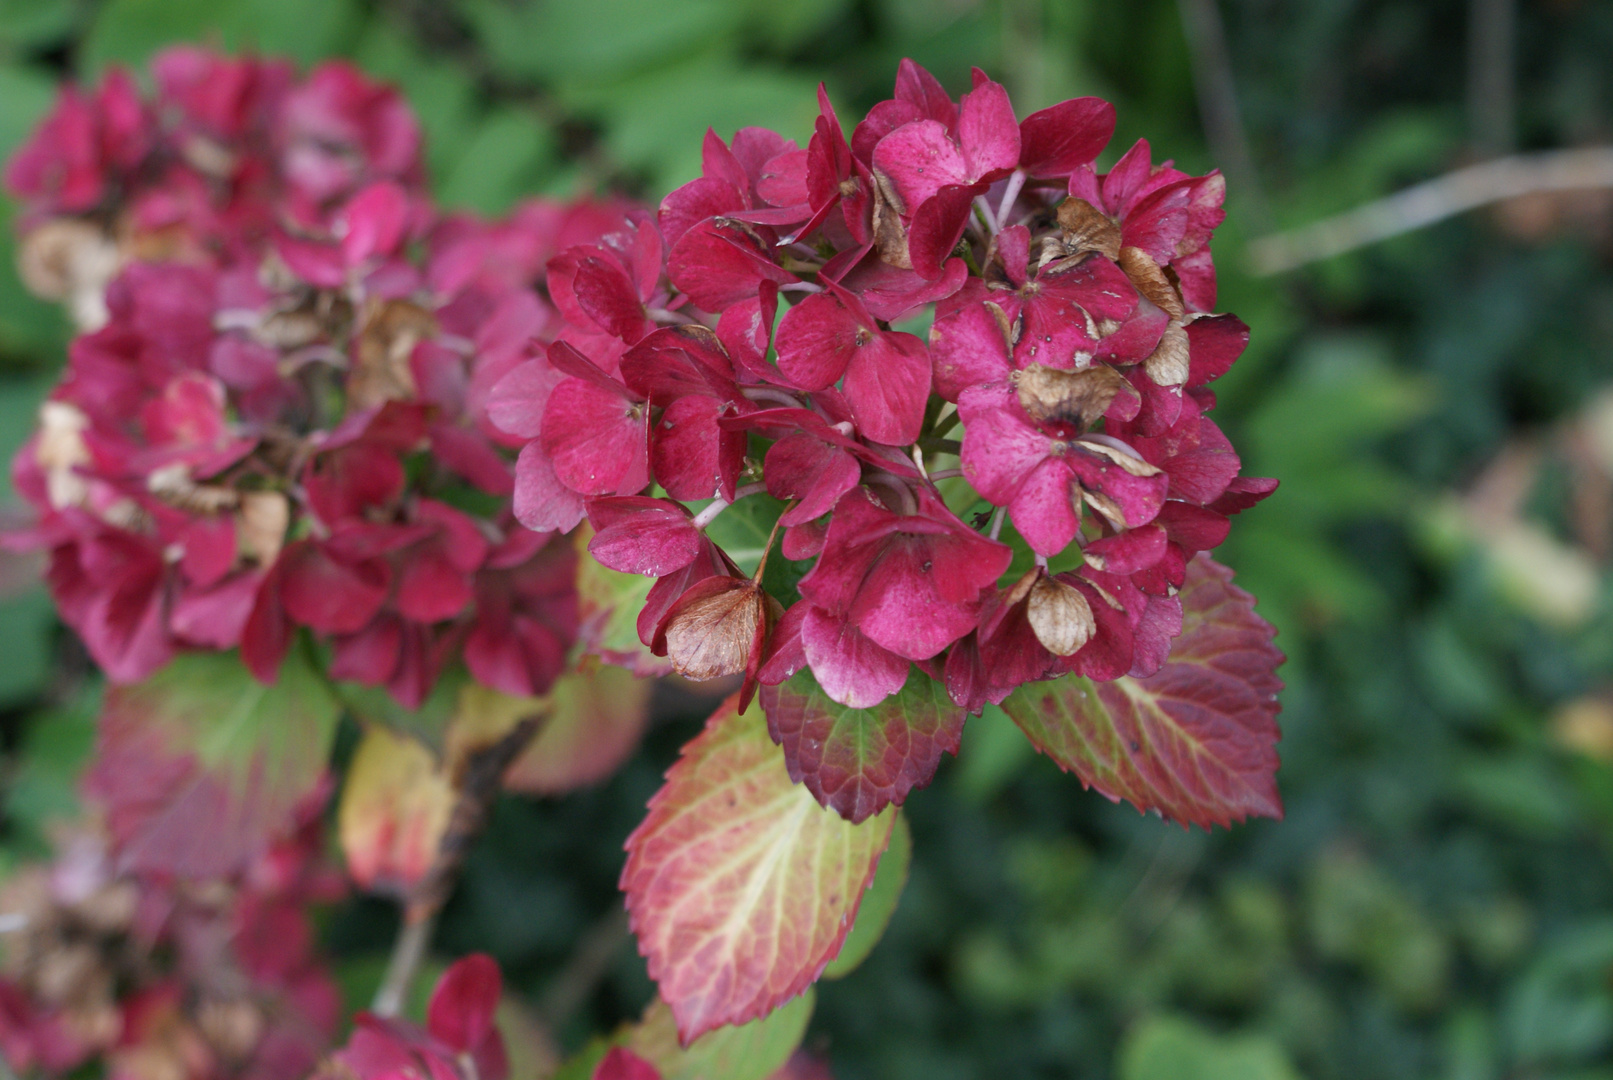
<point>883,431</point>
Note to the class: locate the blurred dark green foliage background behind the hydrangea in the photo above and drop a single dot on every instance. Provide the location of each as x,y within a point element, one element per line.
<point>1440,407</point>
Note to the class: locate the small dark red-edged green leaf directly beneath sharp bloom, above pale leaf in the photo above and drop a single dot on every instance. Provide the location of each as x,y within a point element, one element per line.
<point>859,762</point>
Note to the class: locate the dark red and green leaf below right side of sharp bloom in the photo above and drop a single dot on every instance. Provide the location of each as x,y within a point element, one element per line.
<point>1198,739</point>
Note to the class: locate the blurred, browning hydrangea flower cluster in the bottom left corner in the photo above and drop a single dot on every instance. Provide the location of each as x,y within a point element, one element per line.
<point>167,981</point>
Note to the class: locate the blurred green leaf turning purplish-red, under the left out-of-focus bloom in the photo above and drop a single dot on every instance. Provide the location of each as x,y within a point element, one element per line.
<point>201,766</point>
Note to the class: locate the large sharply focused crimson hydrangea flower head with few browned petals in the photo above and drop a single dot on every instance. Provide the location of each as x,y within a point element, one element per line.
<point>749,341</point>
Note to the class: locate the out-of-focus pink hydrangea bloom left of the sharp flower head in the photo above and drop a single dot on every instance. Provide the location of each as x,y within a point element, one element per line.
<point>277,415</point>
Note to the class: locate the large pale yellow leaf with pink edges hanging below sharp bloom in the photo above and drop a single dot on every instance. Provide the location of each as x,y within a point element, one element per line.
<point>740,886</point>
